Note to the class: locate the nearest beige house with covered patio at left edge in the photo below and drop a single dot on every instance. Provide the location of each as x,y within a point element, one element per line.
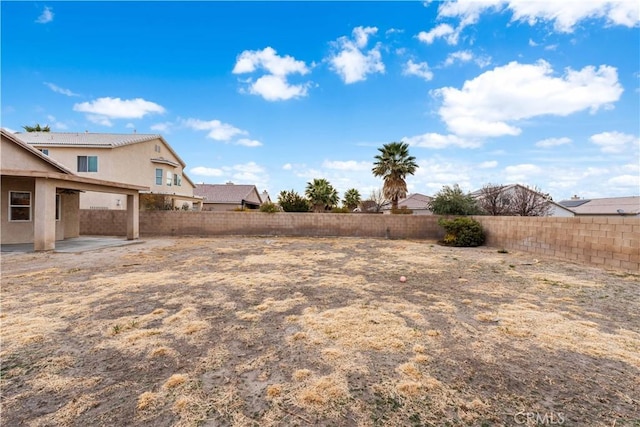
<point>39,197</point>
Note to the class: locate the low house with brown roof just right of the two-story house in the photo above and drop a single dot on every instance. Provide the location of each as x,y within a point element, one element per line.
<point>228,197</point>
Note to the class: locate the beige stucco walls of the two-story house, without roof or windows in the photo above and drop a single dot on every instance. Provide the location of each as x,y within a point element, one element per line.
<point>130,164</point>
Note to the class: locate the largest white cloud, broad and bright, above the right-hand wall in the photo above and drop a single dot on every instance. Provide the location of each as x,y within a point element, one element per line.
<point>488,104</point>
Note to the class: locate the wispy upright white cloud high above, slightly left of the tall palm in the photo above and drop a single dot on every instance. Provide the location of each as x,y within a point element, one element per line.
<point>353,64</point>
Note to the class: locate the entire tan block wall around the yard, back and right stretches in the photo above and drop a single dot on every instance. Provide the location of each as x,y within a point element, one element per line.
<point>611,242</point>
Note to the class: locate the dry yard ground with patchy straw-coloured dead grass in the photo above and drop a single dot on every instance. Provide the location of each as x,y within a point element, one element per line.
<point>295,331</point>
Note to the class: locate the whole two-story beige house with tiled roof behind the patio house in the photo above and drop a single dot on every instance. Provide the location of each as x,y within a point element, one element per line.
<point>136,159</point>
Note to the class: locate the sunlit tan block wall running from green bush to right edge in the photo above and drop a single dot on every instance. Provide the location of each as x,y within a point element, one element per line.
<point>611,242</point>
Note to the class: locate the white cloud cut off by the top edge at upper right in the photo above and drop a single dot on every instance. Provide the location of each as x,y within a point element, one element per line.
<point>564,15</point>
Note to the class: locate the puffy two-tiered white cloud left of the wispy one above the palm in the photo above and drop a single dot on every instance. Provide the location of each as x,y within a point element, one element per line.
<point>274,85</point>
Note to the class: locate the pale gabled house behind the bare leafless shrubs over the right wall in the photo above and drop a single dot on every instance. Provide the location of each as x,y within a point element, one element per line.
<point>517,196</point>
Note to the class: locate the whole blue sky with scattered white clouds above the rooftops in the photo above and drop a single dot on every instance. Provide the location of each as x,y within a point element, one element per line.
<point>542,93</point>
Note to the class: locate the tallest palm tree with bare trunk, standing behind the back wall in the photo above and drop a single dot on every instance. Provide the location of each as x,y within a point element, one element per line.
<point>393,164</point>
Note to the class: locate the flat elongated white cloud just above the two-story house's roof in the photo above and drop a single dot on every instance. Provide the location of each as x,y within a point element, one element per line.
<point>102,110</point>
